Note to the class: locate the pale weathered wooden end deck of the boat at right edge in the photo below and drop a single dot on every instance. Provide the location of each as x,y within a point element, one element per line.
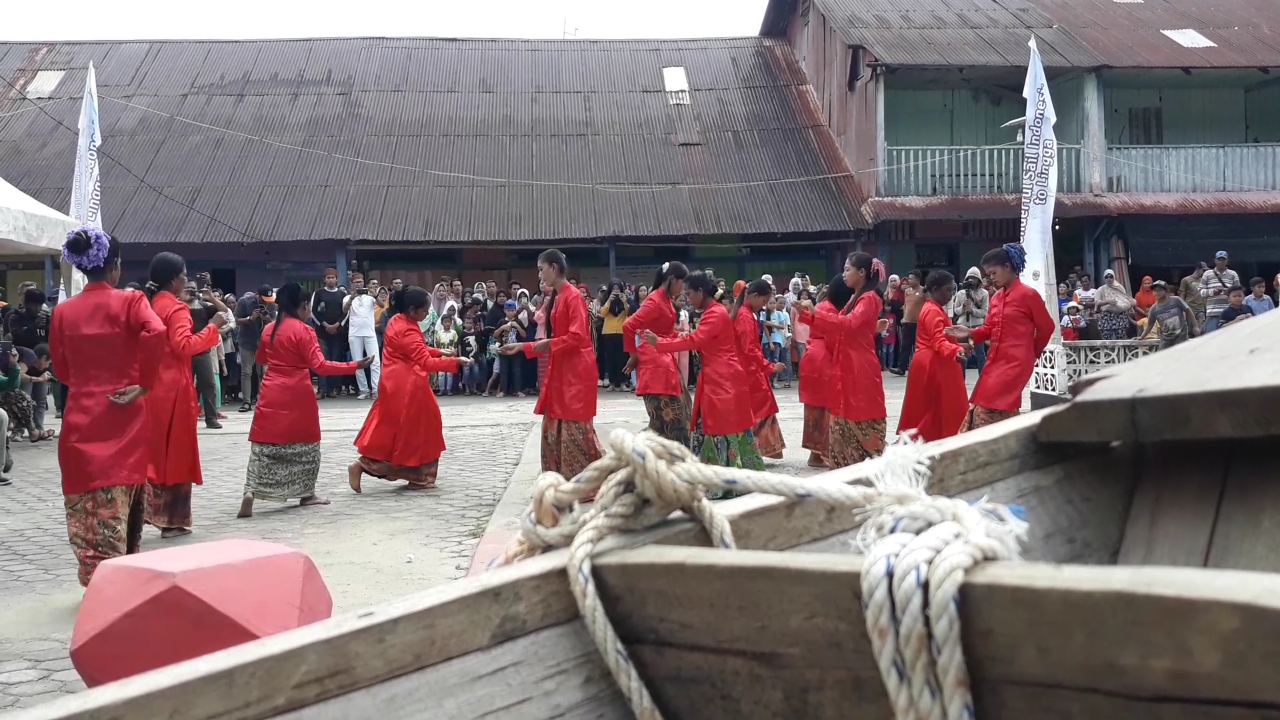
<point>1171,397</point>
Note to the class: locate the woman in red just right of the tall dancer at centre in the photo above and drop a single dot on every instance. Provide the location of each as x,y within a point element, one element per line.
<point>659,380</point>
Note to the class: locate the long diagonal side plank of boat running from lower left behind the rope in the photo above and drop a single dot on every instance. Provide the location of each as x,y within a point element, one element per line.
<point>337,657</point>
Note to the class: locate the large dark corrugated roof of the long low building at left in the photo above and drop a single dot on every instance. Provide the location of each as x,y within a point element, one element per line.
<point>543,112</point>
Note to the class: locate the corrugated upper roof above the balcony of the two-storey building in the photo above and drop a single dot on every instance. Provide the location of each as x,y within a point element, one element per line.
<point>1077,34</point>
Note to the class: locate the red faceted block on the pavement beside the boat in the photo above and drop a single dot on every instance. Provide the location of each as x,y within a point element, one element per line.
<point>150,610</point>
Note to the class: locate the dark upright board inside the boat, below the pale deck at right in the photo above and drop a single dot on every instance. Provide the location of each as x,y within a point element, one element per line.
<point>1176,505</point>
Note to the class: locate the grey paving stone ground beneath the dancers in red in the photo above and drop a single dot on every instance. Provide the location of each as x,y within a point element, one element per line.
<point>362,544</point>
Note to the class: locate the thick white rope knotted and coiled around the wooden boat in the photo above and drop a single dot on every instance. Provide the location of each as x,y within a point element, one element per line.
<point>917,552</point>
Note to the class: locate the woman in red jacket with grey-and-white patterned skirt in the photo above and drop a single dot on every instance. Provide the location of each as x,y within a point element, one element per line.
<point>285,457</point>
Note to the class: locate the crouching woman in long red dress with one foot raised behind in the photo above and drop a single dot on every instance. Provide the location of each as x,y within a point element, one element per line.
<point>404,436</point>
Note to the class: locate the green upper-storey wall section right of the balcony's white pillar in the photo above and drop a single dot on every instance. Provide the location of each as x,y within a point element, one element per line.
<point>1199,116</point>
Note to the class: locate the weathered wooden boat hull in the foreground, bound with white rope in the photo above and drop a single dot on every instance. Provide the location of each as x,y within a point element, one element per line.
<point>766,635</point>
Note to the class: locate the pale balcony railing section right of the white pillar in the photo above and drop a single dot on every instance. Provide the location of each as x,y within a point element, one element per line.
<point>1194,168</point>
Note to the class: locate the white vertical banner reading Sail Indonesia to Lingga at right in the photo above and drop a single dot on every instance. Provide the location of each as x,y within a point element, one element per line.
<point>1040,184</point>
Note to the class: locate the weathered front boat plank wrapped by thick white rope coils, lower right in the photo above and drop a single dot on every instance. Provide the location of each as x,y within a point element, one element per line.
<point>747,635</point>
